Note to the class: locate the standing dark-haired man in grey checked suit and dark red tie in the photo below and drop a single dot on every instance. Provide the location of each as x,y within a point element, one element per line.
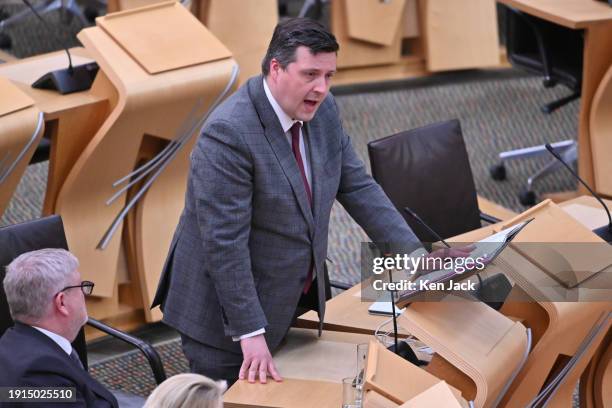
<point>252,239</point>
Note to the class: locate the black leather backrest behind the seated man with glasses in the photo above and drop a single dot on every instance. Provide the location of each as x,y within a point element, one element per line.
<point>17,239</point>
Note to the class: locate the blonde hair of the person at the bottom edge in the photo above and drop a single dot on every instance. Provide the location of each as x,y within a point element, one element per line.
<point>187,390</point>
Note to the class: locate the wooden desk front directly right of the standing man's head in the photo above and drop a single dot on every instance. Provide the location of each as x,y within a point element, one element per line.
<point>440,35</point>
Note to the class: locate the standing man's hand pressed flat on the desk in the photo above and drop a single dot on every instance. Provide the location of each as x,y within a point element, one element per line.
<point>257,360</point>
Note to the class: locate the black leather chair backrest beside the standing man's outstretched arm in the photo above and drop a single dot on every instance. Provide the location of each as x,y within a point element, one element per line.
<point>427,169</point>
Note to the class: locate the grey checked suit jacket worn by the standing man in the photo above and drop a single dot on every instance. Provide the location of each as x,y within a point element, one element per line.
<point>243,247</point>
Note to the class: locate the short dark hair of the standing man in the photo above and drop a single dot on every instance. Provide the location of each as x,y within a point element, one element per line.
<point>291,34</point>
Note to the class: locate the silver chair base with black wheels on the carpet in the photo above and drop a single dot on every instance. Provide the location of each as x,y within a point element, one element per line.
<point>567,148</point>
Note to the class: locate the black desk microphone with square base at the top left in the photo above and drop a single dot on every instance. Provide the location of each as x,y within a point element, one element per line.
<point>67,80</point>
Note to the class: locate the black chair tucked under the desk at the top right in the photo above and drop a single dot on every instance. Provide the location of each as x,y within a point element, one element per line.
<point>544,48</point>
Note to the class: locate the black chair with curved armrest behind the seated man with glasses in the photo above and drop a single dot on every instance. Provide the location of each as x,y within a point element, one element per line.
<point>49,233</point>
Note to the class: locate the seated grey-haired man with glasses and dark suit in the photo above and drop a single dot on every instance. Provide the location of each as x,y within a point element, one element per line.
<point>47,301</point>
